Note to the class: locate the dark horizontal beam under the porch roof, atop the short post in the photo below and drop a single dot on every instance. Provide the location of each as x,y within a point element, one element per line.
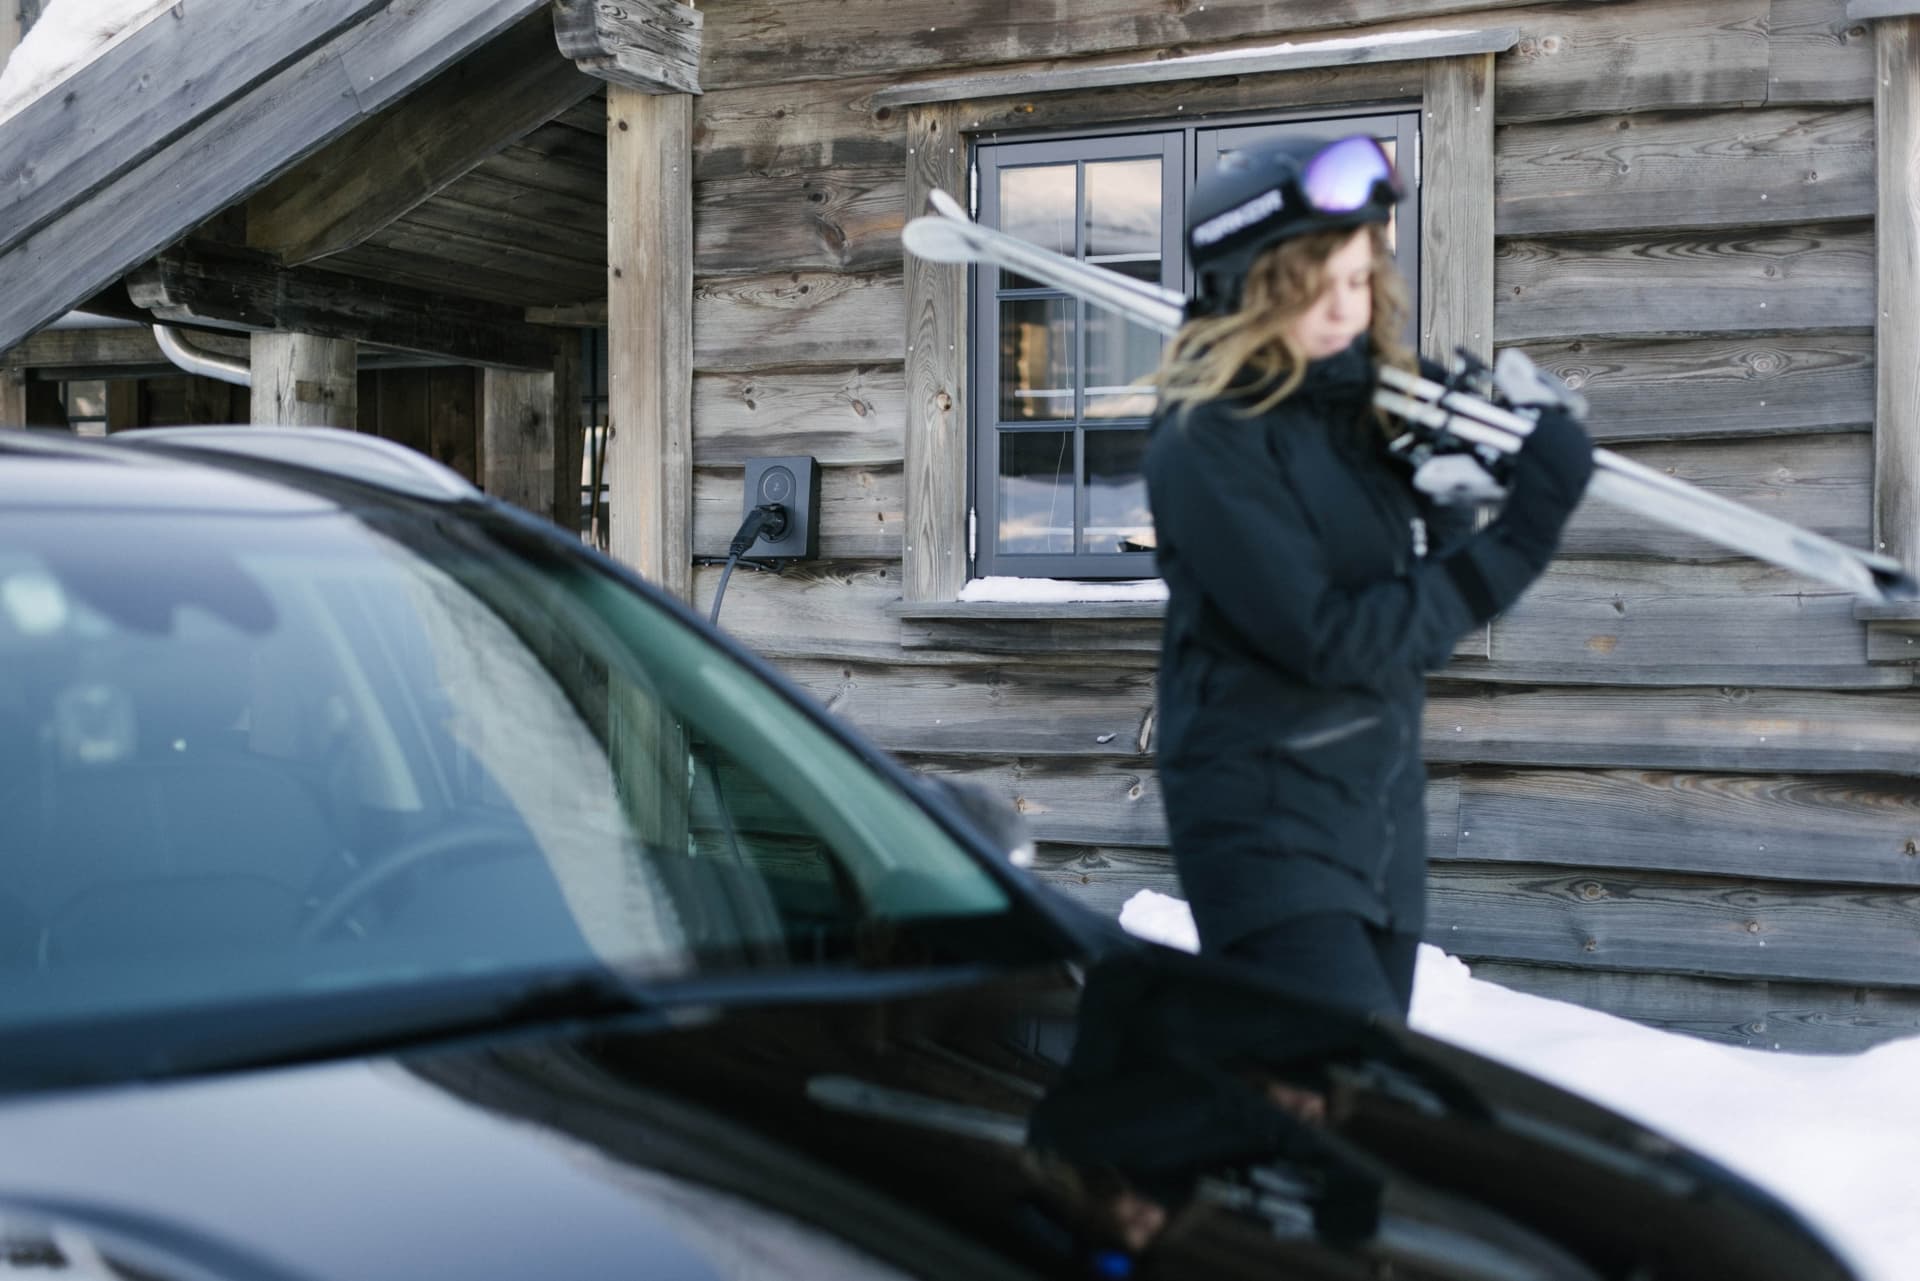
<point>247,289</point>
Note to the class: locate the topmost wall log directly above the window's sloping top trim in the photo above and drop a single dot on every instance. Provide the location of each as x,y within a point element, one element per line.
<point>771,45</point>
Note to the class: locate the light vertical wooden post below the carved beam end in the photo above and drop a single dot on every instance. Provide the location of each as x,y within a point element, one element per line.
<point>650,341</point>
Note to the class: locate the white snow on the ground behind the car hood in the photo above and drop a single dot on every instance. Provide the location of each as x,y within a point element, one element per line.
<point>1838,1138</point>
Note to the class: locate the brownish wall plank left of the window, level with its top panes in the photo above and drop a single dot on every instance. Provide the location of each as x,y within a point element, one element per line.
<point>842,218</point>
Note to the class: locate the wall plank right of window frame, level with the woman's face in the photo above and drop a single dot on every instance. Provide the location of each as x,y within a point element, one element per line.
<point>1787,279</point>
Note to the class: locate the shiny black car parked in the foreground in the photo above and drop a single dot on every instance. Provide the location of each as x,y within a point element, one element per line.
<point>396,888</point>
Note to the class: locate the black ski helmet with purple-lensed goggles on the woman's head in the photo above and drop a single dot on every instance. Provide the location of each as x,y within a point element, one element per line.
<point>1276,191</point>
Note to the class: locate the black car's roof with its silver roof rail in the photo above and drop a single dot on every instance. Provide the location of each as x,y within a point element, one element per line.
<point>206,470</point>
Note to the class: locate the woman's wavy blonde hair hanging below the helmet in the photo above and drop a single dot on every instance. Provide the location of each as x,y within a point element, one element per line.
<point>1218,352</point>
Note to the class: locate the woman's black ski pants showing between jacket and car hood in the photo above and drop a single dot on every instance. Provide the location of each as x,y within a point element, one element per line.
<point>1337,959</point>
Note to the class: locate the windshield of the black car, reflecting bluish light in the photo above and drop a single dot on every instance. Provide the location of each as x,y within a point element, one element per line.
<point>256,756</point>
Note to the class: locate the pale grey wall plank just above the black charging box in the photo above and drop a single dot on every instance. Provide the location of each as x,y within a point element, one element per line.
<point>838,416</point>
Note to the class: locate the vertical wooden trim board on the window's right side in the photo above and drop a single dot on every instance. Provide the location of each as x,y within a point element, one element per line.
<point>1458,208</point>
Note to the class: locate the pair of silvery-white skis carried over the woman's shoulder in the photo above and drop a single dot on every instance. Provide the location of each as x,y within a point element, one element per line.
<point>1451,420</point>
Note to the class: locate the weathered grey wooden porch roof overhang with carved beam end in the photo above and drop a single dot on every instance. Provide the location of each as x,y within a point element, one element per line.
<point>418,176</point>
